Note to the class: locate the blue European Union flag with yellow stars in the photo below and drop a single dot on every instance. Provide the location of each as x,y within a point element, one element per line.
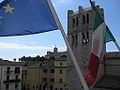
<point>24,17</point>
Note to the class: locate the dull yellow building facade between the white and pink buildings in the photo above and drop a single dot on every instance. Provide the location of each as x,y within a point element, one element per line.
<point>32,78</point>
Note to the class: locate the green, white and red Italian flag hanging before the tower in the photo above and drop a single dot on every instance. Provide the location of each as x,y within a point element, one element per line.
<point>101,35</point>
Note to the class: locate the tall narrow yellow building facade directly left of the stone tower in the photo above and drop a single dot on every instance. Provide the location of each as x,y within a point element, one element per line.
<point>60,77</point>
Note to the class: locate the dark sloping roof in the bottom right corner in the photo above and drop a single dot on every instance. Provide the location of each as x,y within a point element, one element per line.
<point>110,82</point>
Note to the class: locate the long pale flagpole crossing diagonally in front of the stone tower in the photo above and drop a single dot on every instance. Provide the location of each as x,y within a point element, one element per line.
<point>69,47</point>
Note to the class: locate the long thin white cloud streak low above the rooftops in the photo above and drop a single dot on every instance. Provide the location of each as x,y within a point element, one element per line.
<point>4,45</point>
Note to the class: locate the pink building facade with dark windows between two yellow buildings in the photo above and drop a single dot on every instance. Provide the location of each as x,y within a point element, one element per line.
<point>48,75</point>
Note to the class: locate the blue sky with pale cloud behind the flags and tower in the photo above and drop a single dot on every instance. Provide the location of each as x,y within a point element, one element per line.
<point>39,44</point>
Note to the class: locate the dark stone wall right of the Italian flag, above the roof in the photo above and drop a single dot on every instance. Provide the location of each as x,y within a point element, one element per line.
<point>112,63</point>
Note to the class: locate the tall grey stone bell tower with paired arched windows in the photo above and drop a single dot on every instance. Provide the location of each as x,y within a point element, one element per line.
<point>80,25</point>
